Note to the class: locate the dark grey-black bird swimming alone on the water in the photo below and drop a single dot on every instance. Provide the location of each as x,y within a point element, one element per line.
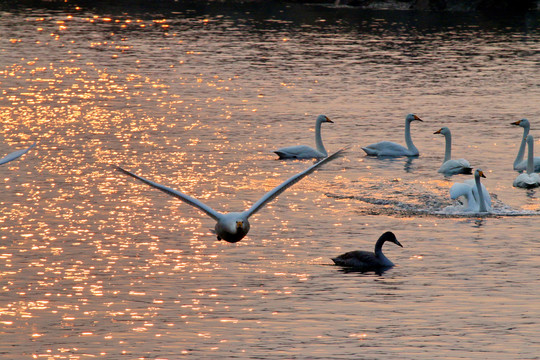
<point>366,260</point>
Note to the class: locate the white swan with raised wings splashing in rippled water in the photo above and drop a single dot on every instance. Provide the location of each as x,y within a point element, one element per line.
<point>478,198</point>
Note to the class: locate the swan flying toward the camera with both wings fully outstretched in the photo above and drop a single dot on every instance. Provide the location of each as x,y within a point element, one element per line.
<point>232,227</point>
